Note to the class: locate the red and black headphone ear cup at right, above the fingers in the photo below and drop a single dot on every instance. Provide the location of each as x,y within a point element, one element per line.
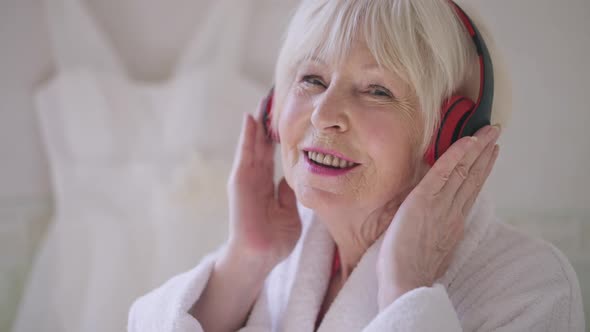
<point>455,111</point>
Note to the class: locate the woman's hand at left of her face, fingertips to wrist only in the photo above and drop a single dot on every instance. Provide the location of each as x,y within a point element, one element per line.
<point>264,224</point>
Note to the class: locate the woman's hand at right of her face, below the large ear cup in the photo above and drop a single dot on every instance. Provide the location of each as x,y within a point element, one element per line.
<point>420,241</point>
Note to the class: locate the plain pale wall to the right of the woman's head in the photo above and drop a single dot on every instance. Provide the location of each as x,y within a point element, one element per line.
<point>545,158</point>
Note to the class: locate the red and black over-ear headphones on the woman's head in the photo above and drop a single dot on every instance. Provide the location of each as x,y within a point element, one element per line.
<point>460,116</point>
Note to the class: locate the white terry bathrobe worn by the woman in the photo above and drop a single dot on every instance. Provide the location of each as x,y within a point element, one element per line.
<point>499,280</point>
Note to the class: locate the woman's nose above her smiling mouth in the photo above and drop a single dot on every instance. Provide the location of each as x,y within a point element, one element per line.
<point>331,113</point>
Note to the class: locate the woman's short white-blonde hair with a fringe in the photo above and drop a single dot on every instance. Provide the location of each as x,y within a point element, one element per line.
<point>423,42</point>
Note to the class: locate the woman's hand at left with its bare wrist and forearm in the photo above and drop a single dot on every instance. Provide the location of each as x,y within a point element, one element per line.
<point>264,229</point>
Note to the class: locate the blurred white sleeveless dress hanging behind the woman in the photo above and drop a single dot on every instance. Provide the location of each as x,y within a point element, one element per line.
<point>138,168</point>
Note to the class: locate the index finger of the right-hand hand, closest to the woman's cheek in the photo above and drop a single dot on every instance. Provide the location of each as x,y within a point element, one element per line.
<point>436,178</point>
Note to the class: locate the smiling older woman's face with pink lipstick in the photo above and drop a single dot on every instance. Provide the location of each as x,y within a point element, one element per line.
<point>358,112</point>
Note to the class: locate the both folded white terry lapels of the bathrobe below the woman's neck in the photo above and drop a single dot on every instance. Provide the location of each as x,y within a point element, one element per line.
<point>356,303</point>
